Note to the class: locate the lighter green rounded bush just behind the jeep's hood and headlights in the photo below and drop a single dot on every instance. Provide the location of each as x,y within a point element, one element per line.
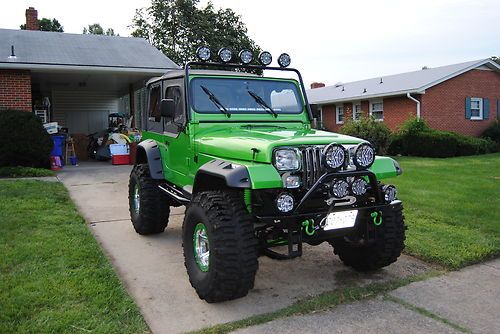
<point>371,130</point>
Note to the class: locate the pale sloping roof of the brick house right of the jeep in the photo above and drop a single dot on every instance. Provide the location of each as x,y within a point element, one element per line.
<point>411,82</point>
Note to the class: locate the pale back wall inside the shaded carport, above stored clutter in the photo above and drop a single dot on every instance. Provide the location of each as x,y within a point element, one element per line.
<point>83,111</point>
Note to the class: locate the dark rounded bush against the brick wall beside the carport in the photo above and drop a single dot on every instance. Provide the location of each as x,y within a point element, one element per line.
<point>23,140</point>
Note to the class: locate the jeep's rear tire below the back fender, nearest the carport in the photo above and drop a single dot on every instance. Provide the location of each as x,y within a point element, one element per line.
<point>148,206</point>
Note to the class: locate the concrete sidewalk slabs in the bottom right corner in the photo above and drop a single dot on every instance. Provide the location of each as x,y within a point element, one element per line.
<point>463,301</point>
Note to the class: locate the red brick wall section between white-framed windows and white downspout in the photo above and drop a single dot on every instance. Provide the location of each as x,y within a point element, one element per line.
<point>397,110</point>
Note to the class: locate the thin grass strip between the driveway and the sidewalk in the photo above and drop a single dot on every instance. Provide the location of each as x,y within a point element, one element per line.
<point>322,302</point>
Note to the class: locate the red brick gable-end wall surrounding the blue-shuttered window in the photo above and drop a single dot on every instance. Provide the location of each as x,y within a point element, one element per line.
<point>443,106</point>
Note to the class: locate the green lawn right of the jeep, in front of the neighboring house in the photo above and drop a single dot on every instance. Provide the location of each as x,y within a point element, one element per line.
<point>452,208</point>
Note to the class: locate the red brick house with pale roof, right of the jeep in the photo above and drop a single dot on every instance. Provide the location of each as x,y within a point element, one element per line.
<point>464,98</point>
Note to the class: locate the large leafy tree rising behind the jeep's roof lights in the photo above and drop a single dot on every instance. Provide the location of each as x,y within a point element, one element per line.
<point>179,27</point>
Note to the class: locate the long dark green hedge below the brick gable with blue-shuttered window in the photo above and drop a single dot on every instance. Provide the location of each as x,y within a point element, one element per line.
<point>415,138</point>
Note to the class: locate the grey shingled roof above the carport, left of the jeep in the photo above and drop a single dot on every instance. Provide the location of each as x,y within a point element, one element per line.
<point>41,49</point>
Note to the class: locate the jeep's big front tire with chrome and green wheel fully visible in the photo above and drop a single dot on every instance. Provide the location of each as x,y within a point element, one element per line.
<point>220,247</point>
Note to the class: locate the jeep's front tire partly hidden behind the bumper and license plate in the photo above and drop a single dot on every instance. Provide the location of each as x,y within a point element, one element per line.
<point>388,245</point>
